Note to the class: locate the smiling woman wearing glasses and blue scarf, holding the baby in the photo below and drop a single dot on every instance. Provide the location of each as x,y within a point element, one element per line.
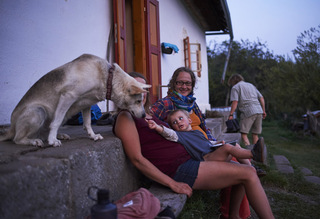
<point>180,96</point>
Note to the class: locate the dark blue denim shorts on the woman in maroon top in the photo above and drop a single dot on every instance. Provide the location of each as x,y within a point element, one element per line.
<point>187,172</point>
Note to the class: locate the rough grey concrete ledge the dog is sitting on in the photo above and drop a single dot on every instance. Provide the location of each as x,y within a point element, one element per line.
<point>53,182</point>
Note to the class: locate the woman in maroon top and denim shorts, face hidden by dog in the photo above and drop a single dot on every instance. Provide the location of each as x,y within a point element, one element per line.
<point>169,164</point>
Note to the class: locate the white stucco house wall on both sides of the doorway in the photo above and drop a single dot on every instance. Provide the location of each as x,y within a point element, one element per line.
<point>37,36</point>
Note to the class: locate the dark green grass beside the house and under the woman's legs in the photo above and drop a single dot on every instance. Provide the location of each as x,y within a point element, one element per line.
<point>290,195</point>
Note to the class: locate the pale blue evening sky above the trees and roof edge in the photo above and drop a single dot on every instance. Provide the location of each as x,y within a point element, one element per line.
<point>276,23</point>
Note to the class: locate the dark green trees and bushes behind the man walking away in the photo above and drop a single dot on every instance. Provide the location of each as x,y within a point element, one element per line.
<point>290,87</point>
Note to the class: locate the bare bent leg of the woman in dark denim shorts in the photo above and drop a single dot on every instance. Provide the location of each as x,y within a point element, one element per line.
<point>215,175</point>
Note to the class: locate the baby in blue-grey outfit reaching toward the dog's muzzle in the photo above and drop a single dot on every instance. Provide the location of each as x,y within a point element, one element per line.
<point>199,147</point>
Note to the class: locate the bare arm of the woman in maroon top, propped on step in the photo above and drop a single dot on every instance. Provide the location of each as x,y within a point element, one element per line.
<point>126,130</point>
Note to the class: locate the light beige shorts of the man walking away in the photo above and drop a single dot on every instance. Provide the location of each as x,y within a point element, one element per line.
<point>253,122</point>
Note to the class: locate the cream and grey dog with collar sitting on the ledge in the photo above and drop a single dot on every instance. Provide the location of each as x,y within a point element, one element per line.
<point>67,90</point>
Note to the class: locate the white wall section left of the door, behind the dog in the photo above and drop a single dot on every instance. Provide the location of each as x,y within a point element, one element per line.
<point>37,36</point>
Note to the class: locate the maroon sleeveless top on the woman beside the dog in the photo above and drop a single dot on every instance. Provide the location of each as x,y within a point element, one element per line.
<point>166,155</point>
